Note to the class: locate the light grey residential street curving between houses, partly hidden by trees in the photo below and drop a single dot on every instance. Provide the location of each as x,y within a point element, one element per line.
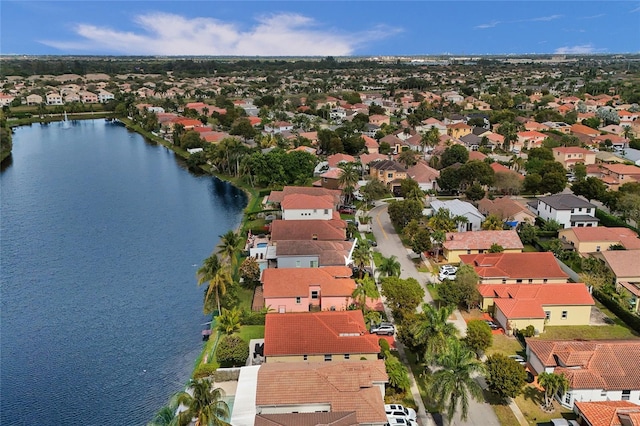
<point>389,244</point>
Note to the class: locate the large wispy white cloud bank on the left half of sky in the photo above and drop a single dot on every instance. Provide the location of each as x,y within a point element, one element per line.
<point>283,34</point>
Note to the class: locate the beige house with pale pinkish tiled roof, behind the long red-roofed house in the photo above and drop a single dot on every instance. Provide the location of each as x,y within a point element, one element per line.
<point>478,242</point>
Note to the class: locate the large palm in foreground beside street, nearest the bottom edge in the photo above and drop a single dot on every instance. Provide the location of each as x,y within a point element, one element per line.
<point>453,383</point>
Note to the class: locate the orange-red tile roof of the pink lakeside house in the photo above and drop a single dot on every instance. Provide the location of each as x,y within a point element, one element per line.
<point>295,282</point>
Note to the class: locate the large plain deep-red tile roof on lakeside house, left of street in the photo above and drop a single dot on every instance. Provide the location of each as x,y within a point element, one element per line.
<point>318,333</point>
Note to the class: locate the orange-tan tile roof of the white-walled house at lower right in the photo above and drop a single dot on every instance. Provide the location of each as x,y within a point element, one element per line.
<point>604,364</point>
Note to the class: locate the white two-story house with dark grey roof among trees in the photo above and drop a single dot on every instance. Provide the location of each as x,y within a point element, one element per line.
<point>567,209</point>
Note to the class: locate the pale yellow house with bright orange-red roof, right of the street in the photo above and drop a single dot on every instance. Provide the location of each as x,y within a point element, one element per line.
<point>515,307</point>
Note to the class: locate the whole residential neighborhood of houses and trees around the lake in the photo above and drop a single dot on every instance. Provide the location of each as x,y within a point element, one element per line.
<point>404,221</point>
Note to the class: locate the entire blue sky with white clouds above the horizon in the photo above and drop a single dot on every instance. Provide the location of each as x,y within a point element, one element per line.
<point>318,28</point>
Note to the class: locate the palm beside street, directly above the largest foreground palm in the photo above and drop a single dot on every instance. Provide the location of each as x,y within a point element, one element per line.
<point>434,331</point>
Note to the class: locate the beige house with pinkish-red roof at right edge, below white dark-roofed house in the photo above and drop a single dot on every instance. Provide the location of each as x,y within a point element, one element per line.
<point>591,240</point>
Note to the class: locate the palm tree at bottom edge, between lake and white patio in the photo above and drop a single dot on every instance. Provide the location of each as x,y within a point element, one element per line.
<point>205,403</point>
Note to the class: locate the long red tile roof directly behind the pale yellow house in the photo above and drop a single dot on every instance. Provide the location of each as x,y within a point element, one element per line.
<point>536,266</point>
